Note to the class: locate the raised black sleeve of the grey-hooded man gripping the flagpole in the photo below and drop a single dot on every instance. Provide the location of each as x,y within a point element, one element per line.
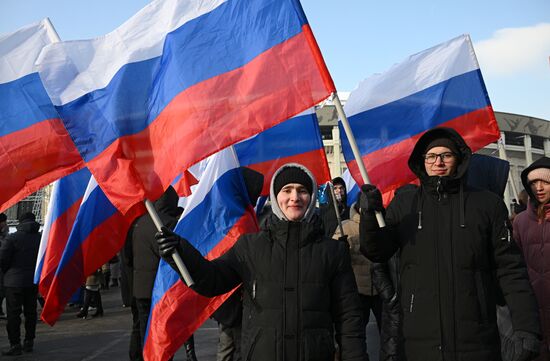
<point>212,278</point>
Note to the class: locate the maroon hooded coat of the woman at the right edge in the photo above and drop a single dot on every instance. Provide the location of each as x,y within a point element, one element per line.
<point>534,240</point>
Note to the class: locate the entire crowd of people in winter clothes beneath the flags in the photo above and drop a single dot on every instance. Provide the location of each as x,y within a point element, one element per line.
<point>436,277</point>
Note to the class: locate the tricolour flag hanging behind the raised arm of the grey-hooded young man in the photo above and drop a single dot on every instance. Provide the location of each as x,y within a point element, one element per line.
<point>217,213</point>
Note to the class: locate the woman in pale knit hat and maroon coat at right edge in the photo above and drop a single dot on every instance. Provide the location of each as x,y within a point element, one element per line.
<point>532,233</point>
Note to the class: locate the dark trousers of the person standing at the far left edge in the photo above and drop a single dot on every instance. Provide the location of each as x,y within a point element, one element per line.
<point>21,299</point>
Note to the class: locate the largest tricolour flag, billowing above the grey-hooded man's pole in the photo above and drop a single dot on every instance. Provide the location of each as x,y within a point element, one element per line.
<point>198,74</point>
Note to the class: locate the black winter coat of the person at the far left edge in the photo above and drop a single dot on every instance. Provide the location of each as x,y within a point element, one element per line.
<point>18,255</point>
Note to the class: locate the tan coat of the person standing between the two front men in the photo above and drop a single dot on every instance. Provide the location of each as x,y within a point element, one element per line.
<point>360,264</point>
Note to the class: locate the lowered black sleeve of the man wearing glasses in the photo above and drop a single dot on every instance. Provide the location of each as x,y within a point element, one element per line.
<point>512,275</point>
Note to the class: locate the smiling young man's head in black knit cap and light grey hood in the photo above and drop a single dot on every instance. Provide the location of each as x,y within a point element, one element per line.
<point>285,208</point>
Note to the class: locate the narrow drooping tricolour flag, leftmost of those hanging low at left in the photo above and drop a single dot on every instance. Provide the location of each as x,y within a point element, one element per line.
<point>66,197</point>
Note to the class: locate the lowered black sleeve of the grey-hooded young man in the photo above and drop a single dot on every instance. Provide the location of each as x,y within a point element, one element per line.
<point>346,309</point>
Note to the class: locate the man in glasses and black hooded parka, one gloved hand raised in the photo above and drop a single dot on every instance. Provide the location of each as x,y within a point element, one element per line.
<point>456,257</point>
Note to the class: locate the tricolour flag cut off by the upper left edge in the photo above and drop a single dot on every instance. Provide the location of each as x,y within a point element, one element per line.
<point>35,148</point>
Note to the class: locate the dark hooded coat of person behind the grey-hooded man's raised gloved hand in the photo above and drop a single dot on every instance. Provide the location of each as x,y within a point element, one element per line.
<point>145,256</point>
